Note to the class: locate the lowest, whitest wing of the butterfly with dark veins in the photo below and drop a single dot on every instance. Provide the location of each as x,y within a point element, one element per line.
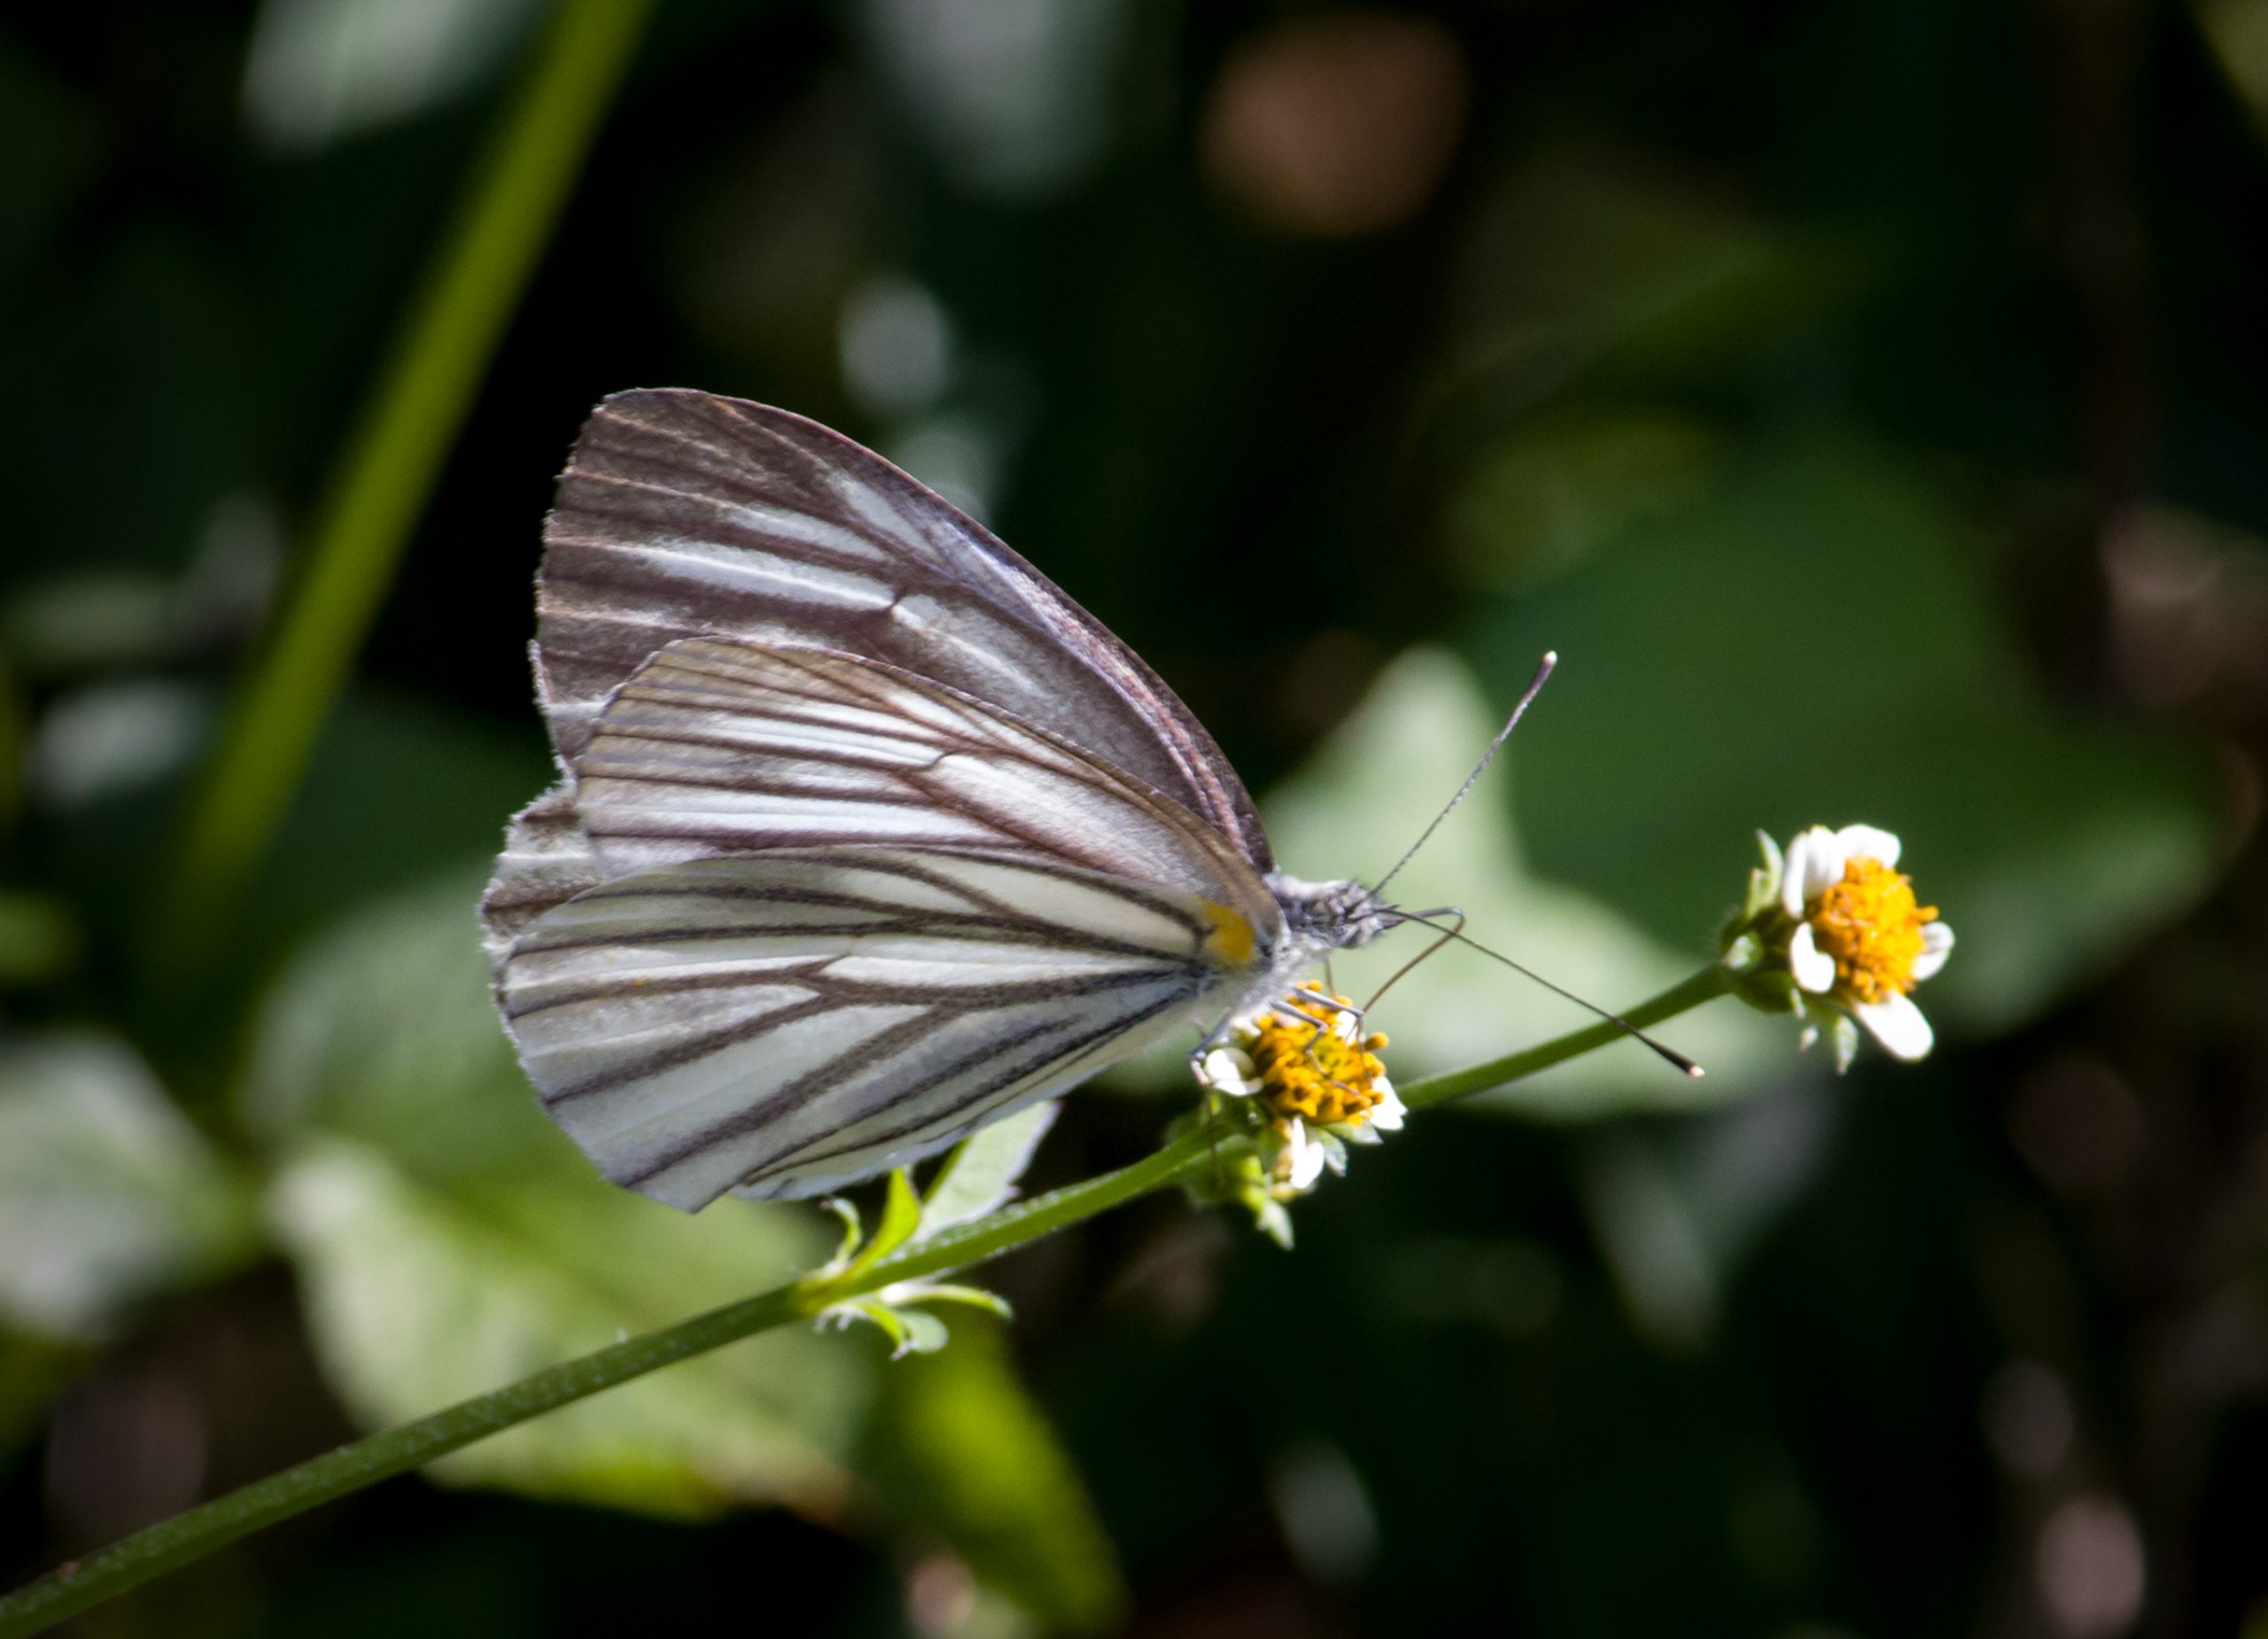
<point>799,1019</point>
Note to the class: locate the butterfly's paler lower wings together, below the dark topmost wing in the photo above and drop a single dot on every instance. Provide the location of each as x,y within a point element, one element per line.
<point>831,917</point>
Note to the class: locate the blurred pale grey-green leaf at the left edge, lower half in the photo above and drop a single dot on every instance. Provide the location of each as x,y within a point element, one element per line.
<point>108,1194</point>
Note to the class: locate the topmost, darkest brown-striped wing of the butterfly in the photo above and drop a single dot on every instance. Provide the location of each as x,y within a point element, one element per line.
<point>693,516</point>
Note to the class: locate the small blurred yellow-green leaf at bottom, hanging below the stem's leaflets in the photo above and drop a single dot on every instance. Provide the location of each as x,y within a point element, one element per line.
<point>960,1447</point>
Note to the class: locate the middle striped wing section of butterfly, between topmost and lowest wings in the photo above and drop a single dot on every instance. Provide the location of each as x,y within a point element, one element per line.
<point>720,749</point>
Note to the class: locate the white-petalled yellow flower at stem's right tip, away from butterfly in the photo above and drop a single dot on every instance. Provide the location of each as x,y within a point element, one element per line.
<point>1861,940</point>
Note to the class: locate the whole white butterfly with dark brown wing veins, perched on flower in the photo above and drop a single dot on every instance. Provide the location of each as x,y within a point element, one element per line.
<point>868,835</point>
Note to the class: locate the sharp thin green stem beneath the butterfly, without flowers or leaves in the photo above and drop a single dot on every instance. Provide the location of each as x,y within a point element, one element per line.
<point>208,1527</point>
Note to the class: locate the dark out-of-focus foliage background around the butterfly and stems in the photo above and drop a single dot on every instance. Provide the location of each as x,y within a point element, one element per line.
<point>1863,398</point>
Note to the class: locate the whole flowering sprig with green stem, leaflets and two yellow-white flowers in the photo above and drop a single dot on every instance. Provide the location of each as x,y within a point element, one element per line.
<point>1280,1110</point>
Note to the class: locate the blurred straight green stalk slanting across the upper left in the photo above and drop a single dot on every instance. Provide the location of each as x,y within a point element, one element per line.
<point>396,457</point>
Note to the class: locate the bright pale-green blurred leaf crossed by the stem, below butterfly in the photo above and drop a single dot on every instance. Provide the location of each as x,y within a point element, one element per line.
<point>423,1296</point>
